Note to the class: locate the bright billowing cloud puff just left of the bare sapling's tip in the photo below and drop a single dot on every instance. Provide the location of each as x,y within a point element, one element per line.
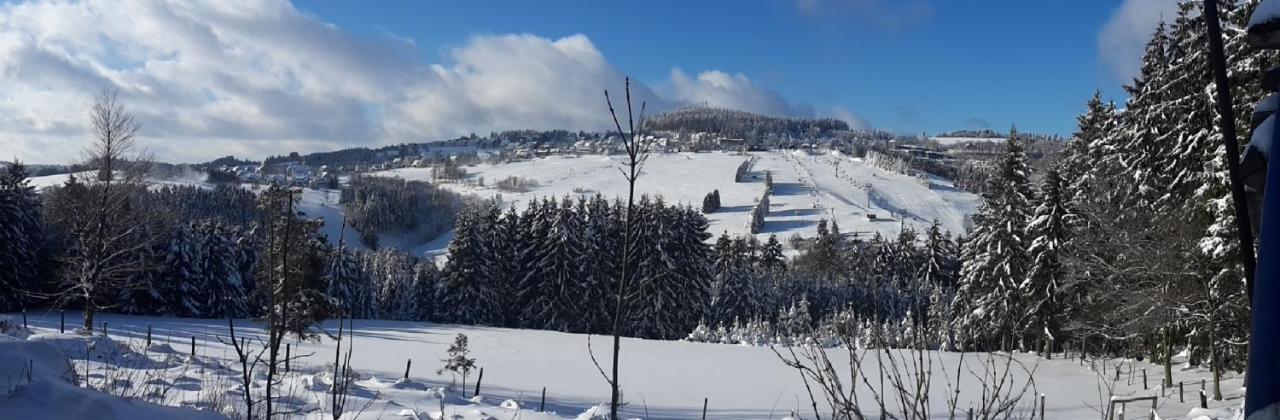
<point>515,81</point>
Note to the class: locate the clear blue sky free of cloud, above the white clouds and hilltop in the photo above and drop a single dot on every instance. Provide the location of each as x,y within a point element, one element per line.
<point>908,69</point>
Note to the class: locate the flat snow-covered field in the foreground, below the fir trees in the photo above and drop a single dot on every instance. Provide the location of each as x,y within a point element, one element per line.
<point>661,380</point>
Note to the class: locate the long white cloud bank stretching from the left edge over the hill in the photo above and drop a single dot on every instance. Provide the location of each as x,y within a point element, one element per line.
<point>258,77</point>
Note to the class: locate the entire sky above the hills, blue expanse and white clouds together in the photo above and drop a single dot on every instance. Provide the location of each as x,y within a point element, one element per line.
<point>268,77</point>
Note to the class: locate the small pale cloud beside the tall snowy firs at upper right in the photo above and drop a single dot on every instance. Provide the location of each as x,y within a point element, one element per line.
<point>1124,36</point>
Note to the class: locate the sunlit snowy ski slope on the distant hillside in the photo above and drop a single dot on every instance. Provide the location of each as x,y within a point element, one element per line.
<point>808,188</point>
